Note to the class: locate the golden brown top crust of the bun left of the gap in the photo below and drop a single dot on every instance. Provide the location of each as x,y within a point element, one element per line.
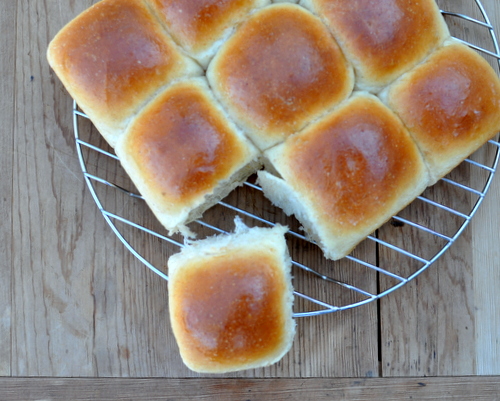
<point>182,146</point>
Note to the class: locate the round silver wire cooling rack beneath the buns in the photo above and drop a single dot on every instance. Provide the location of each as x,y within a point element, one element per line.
<point>388,259</point>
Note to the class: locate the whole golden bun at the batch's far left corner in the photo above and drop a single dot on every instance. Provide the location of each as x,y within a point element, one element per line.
<point>112,58</point>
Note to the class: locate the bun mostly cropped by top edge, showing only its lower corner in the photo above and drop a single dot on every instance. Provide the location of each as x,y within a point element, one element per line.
<point>200,26</point>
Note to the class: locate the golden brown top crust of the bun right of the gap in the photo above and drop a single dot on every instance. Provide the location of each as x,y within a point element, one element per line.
<point>354,163</point>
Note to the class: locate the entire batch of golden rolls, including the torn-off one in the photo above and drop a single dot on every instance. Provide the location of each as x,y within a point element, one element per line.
<point>346,109</point>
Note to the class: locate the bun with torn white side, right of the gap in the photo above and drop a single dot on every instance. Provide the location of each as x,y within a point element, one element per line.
<point>346,174</point>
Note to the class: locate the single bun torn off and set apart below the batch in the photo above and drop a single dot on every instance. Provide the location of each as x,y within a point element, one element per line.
<point>231,299</point>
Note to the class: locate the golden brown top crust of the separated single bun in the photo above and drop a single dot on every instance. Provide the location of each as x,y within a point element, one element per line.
<point>229,308</point>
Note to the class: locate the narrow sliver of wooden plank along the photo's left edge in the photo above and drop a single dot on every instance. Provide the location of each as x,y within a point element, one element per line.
<point>7,104</point>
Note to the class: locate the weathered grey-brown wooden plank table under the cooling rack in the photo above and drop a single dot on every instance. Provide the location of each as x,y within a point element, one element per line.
<point>80,318</point>
